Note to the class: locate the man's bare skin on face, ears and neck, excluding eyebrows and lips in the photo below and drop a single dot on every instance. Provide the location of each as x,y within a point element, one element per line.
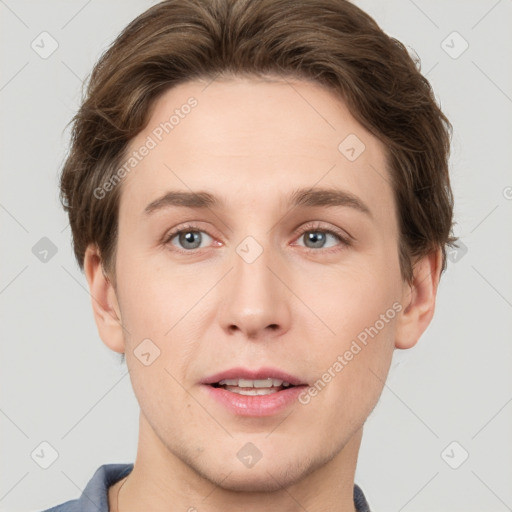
<point>296,307</point>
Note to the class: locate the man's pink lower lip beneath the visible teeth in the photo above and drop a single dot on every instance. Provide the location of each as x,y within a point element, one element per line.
<point>258,405</point>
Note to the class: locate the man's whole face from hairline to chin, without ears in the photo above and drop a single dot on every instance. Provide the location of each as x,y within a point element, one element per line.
<point>261,277</point>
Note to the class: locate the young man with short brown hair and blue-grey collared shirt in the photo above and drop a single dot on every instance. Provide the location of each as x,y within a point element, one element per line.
<point>259,198</point>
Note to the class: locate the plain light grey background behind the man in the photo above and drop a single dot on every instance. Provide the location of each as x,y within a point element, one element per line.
<point>60,384</point>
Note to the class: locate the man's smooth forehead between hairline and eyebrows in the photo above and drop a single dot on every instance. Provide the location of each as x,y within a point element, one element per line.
<point>252,140</point>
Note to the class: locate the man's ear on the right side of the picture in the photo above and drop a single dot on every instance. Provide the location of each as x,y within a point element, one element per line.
<point>419,299</point>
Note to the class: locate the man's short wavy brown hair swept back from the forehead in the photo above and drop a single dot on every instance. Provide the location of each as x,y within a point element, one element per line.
<point>330,42</point>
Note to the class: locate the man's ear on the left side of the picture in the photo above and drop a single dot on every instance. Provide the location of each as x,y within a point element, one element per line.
<point>104,301</point>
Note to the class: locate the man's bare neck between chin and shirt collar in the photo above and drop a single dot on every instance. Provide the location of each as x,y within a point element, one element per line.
<point>162,482</point>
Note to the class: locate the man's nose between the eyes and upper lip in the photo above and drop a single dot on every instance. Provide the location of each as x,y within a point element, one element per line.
<point>256,300</point>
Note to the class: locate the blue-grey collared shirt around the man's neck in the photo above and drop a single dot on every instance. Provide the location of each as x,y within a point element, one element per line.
<point>94,498</point>
